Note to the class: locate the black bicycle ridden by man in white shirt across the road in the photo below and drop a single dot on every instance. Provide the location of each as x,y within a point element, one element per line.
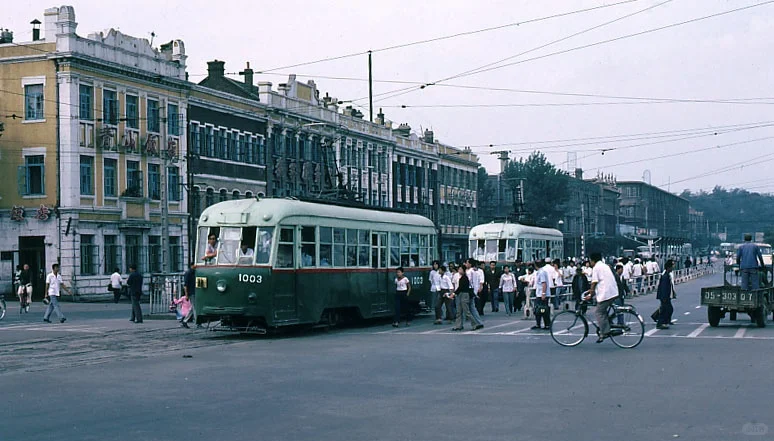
<point>570,328</point>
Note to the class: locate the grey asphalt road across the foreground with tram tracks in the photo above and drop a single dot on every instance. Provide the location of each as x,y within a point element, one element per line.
<point>100,377</point>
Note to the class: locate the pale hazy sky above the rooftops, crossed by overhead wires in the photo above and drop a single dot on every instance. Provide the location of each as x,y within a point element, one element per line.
<point>689,105</point>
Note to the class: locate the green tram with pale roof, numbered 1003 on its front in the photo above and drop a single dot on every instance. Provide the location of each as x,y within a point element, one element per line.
<point>283,262</point>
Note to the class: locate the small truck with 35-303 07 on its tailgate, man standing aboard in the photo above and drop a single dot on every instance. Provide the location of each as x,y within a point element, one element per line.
<point>732,299</point>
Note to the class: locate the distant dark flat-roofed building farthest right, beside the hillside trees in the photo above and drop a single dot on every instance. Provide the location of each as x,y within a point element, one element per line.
<point>650,213</point>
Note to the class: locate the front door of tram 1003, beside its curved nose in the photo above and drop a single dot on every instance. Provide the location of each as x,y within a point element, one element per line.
<point>285,280</point>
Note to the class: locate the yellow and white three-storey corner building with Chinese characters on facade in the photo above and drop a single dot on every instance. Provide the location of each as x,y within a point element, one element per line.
<point>96,143</point>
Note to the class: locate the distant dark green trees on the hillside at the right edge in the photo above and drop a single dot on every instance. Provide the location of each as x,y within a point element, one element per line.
<point>737,210</point>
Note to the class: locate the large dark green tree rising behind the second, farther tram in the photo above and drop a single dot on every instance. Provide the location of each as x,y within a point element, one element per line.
<point>545,188</point>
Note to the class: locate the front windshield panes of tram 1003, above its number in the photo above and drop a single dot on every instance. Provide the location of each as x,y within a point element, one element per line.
<point>234,245</point>
